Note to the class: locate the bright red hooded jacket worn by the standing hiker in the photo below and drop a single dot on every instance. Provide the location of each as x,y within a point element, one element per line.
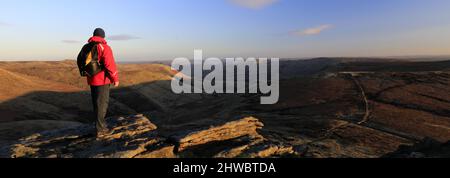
<point>106,57</point>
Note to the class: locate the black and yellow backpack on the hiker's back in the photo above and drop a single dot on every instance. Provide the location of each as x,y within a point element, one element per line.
<point>88,62</point>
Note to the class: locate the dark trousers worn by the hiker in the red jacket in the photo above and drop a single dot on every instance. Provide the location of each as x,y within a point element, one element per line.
<point>100,100</point>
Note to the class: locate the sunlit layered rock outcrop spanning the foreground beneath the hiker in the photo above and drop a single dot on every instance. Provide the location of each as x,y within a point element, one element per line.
<point>137,137</point>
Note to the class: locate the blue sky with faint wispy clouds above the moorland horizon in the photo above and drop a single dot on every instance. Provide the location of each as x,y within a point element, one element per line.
<point>145,30</point>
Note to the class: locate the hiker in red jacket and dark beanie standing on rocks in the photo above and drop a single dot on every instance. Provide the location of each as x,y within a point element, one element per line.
<point>96,62</point>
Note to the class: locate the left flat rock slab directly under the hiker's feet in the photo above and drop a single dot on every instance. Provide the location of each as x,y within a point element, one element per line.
<point>131,137</point>
